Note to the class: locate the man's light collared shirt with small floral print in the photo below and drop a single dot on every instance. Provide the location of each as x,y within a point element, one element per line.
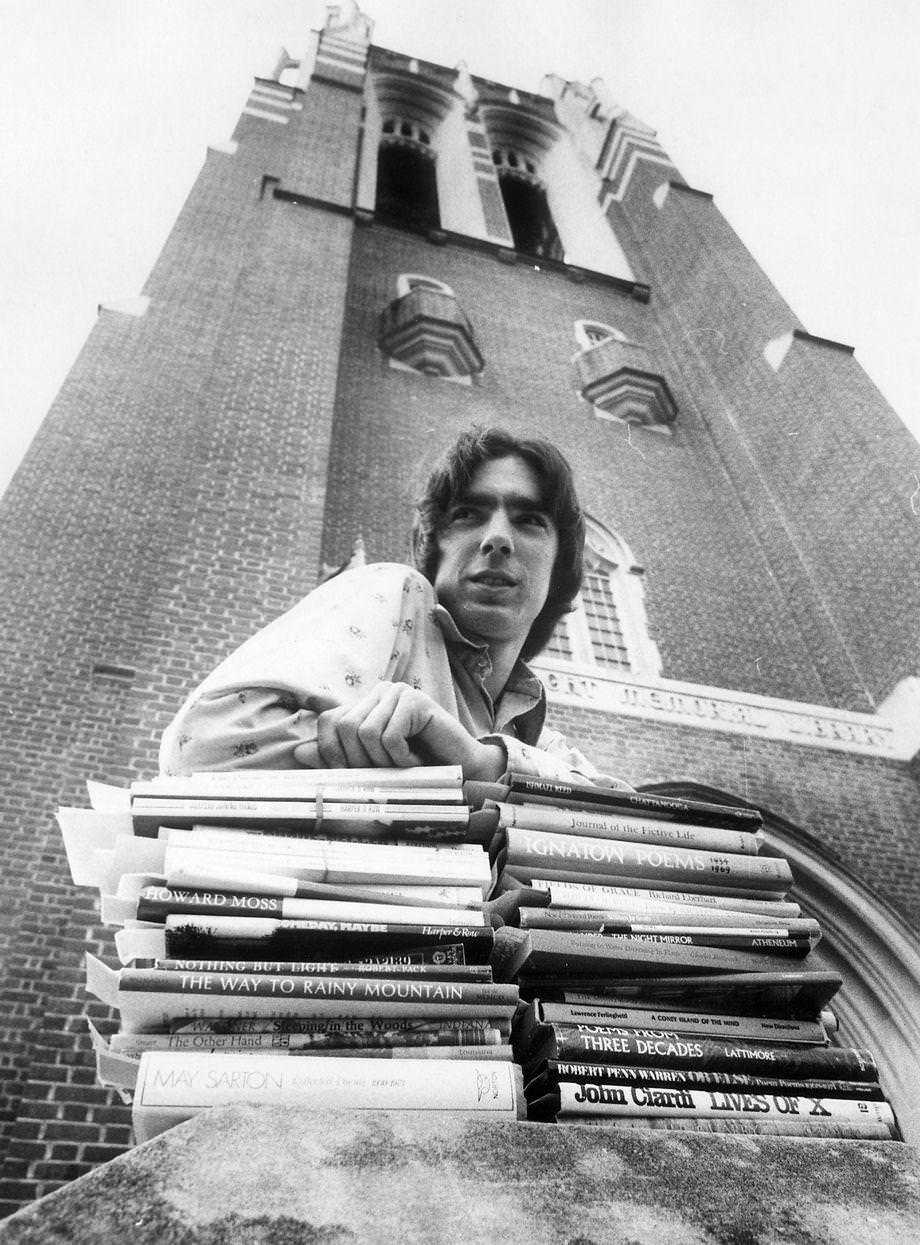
<point>378,623</point>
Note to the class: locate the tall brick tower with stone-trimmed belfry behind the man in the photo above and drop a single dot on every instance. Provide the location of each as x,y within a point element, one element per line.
<point>388,252</point>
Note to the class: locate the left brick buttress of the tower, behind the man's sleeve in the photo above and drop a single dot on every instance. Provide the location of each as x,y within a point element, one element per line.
<point>171,505</point>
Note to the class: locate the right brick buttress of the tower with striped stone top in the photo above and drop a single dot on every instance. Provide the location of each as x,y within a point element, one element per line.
<point>821,464</point>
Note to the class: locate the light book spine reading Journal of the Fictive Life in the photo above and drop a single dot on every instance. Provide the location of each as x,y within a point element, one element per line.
<point>634,830</point>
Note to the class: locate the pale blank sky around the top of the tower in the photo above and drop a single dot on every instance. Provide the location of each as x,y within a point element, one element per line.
<point>800,116</point>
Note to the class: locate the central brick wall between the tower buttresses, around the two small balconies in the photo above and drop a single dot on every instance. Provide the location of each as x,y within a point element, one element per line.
<point>714,603</point>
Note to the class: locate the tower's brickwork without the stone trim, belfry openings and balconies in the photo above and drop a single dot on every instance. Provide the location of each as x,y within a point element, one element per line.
<point>204,461</point>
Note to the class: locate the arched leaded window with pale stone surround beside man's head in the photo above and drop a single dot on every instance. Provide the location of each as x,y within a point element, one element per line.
<point>608,629</point>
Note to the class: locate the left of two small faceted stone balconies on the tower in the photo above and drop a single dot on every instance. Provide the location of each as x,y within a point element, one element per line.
<point>428,332</point>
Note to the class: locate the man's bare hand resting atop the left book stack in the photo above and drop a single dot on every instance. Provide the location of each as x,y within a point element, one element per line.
<point>395,726</point>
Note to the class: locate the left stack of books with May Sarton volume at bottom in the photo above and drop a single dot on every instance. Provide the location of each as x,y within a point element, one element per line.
<point>281,933</point>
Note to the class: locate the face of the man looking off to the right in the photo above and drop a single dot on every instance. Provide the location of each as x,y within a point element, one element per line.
<point>497,553</point>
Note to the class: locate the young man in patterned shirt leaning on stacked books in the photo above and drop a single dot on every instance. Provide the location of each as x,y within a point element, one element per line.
<point>390,667</point>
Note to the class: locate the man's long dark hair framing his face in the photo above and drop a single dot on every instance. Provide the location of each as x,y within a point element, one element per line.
<point>451,480</point>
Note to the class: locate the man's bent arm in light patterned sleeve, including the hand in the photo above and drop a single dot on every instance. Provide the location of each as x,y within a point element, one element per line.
<point>354,675</point>
